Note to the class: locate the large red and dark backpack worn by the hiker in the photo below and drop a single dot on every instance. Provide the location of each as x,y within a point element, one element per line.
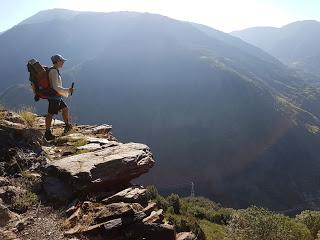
<point>39,79</point>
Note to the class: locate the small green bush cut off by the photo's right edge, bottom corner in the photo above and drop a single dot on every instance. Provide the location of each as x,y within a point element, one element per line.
<point>311,219</point>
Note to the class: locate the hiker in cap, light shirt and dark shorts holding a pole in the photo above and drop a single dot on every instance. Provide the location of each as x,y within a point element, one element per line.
<point>56,103</point>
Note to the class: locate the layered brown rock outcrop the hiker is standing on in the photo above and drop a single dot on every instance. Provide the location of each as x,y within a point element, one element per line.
<point>90,170</point>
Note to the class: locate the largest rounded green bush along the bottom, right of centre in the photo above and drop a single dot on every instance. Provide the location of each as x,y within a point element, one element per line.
<point>258,223</point>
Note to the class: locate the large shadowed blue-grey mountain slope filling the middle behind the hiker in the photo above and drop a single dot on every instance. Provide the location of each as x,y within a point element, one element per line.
<point>215,110</point>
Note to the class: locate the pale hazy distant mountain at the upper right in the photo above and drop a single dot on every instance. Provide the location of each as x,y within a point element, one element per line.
<point>295,44</point>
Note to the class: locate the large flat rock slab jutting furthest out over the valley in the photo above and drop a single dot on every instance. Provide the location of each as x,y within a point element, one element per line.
<point>110,167</point>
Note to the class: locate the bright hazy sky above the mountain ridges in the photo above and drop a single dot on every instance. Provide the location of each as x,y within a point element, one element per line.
<point>224,15</point>
